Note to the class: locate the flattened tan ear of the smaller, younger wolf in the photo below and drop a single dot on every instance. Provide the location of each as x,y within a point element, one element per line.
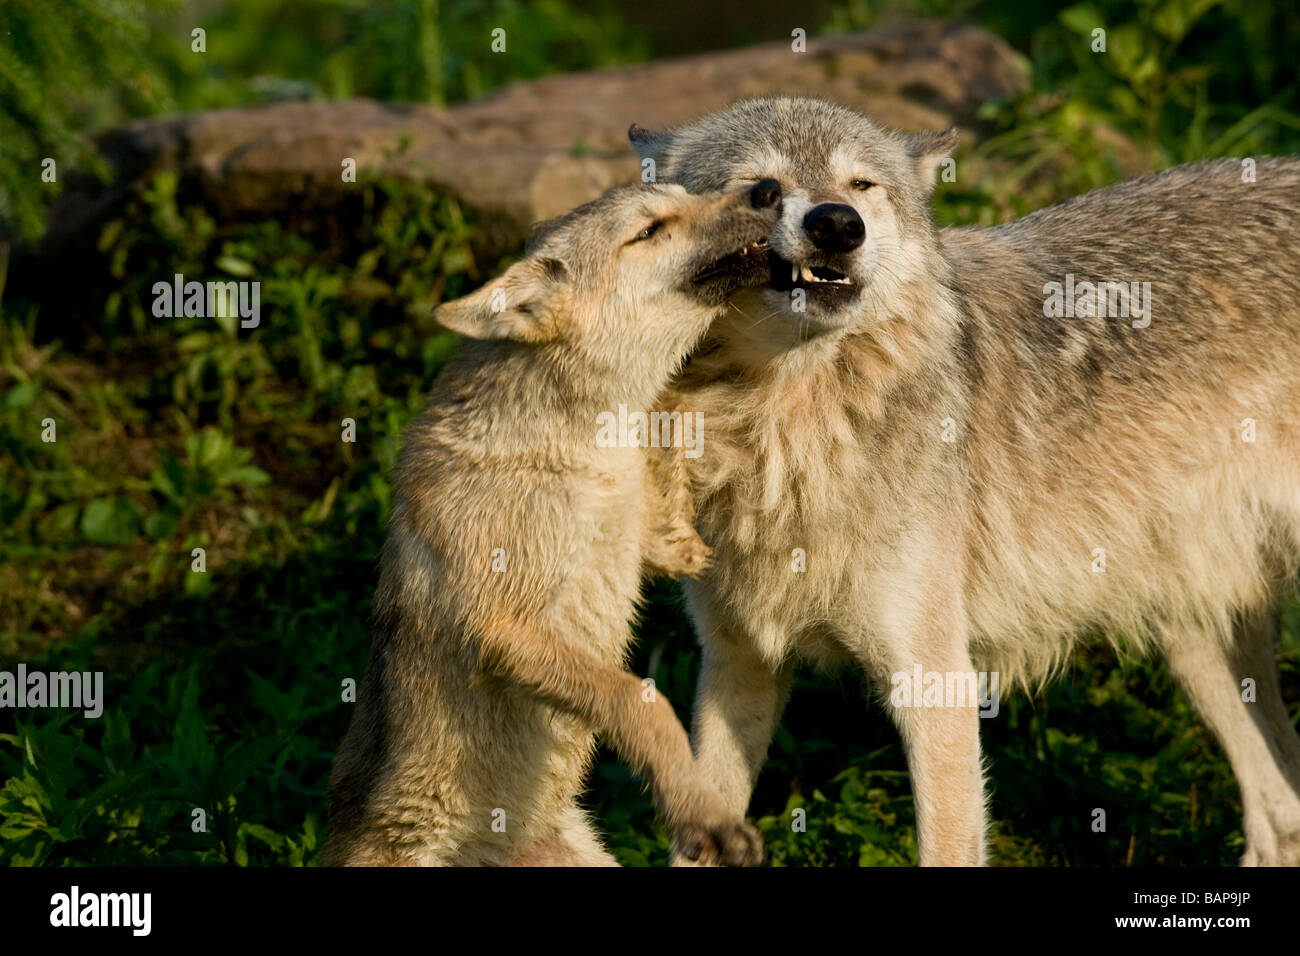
<point>522,304</point>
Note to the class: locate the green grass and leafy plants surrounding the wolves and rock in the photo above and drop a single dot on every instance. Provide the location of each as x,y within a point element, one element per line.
<point>224,689</point>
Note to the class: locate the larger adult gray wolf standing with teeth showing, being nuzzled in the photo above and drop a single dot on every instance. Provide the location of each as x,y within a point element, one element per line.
<point>965,451</point>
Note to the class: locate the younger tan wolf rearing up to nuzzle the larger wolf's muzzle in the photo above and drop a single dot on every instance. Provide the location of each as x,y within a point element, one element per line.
<point>517,547</point>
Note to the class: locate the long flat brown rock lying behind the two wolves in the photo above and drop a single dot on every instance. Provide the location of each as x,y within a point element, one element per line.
<point>538,149</point>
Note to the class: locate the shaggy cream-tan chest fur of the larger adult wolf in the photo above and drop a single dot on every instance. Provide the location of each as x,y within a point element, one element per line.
<point>811,501</point>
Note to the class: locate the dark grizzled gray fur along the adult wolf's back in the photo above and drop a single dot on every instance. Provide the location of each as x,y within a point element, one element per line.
<point>1204,266</point>
